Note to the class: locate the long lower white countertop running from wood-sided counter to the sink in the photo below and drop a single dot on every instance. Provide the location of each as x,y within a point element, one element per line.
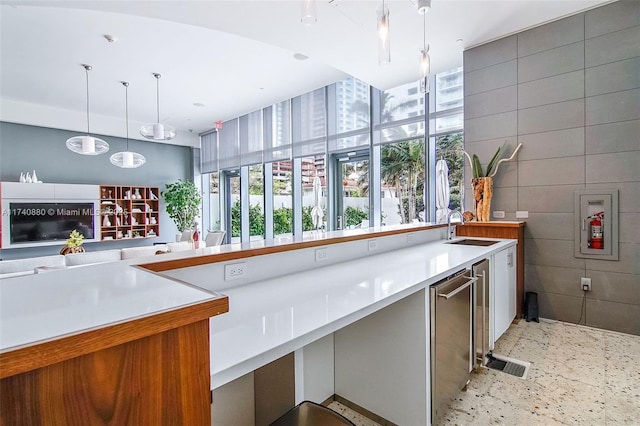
<point>271,318</point>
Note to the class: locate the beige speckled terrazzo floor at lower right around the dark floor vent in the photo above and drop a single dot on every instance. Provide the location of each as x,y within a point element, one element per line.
<point>578,376</point>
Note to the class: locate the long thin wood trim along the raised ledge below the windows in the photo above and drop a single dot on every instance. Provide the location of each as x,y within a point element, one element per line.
<point>169,265</point>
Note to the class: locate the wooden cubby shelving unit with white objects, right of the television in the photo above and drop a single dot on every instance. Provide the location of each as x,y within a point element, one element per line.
<point>129,212</point>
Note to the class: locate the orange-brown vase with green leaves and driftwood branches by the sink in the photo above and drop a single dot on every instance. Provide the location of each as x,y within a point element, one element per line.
<point>482,182</point>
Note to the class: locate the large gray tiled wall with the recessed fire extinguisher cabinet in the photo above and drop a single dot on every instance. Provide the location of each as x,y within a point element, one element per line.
<point>569,91</point>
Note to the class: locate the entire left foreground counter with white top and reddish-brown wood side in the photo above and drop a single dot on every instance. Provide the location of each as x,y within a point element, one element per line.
<point>105,344</point>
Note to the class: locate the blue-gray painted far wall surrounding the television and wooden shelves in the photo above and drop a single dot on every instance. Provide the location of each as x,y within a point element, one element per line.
<point>24,148</point>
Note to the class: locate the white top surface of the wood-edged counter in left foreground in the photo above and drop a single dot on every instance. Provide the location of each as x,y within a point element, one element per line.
<point>41,307</point>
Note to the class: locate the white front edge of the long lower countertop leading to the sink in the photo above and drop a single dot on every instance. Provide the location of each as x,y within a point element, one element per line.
<point>227,375</point>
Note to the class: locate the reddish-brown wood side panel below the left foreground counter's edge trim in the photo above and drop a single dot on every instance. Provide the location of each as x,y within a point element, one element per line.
<point>162,379</point>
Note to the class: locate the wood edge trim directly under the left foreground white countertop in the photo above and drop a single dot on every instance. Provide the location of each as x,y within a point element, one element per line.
<point>54,351</point>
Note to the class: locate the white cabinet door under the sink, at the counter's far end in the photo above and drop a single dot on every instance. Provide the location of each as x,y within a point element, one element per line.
<point>503,292</point>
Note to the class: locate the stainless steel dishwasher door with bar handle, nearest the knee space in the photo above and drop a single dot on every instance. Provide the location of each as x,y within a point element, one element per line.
<point>451,344</point>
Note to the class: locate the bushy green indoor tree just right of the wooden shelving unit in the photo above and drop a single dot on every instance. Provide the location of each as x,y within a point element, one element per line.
<point>182,200</point>
